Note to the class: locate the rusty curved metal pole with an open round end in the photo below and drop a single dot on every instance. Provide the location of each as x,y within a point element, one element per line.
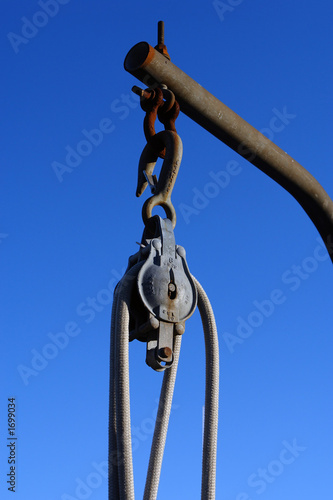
<point>151,67</point>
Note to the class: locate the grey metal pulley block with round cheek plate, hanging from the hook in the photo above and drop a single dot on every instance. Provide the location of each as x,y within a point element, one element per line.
<point>167,292</point>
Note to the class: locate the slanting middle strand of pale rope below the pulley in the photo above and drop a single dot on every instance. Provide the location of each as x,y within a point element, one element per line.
<point>161,426</point>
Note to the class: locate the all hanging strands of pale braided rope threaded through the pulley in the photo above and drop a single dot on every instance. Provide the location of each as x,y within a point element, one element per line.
<point>121,481</point>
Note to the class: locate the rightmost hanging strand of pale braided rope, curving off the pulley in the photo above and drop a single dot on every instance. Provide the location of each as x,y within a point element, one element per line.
<point>211,395</point>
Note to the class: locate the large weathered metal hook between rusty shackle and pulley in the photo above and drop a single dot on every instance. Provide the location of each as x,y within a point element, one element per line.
<point>161,188</point>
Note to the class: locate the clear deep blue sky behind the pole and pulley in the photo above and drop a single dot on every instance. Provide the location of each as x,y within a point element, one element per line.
<point>63,244</point>
